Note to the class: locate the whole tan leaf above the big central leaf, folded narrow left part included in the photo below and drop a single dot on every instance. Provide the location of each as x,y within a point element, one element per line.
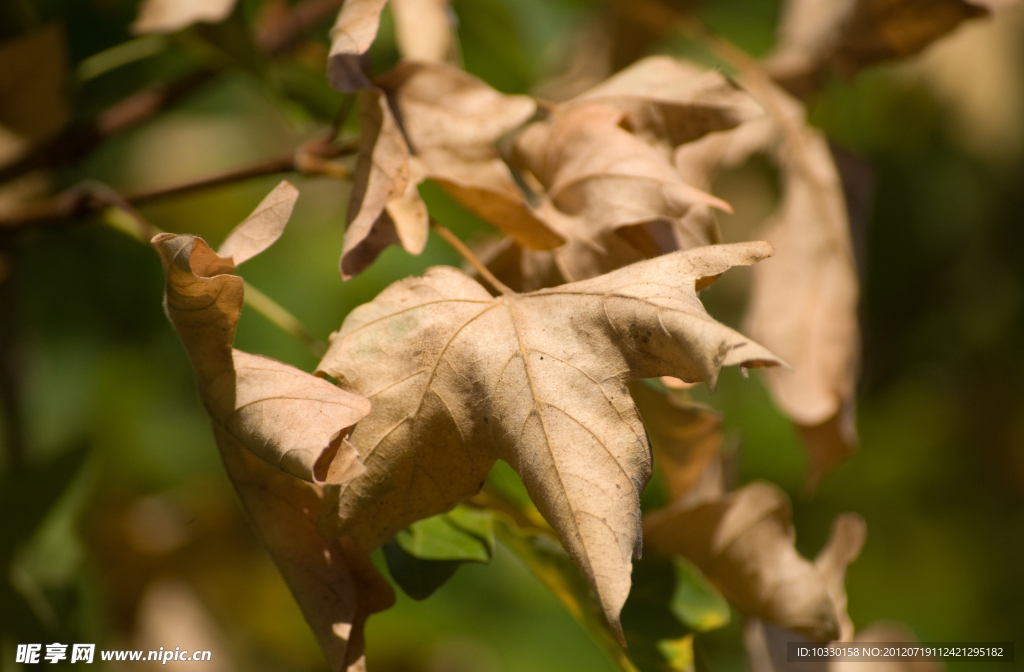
<point>452,120</point>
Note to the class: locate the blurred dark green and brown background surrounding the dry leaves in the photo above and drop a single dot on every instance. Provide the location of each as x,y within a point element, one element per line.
<point>123,530</point>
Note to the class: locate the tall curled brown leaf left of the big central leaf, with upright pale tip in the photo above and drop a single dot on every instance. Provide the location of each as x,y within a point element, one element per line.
<point>280,431</point>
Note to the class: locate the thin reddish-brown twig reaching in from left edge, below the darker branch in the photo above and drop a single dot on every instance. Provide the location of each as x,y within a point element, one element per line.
<point>89,198</point>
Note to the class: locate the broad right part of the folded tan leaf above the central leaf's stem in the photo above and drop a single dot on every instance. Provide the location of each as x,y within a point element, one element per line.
<point>453,122</point>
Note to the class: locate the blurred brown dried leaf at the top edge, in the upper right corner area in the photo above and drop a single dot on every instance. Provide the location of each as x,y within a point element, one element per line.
<point>849,35</point>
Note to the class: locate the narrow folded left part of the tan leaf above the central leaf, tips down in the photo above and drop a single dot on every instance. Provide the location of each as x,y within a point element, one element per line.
<point>385,207</point>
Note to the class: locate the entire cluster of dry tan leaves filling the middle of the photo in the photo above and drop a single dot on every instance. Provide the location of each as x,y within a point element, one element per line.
<point>610,236</point>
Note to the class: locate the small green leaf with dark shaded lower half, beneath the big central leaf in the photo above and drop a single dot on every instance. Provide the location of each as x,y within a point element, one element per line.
<point>428,554</point>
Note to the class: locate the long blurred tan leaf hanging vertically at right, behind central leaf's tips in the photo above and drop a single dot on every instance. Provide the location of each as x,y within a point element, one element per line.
<point>804,302</point>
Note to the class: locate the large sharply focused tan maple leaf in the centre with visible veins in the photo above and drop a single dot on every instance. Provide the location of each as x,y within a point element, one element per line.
<point>459,379</point>
